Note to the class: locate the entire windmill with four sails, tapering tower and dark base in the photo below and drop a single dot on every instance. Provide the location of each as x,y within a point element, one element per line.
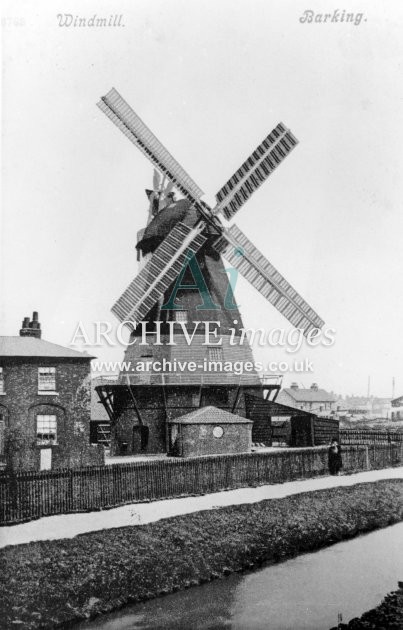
<point>183,289</point>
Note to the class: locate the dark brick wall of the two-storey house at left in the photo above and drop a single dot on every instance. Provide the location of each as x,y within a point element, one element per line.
<point>21,403</point>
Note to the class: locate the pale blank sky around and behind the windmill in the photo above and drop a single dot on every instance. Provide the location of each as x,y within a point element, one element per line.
<point>210,79</point>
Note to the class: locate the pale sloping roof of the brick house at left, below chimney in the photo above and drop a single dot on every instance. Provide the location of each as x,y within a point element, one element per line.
<point>33,347</point>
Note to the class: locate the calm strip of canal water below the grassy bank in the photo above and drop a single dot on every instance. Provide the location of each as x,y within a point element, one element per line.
<point>306,592</point>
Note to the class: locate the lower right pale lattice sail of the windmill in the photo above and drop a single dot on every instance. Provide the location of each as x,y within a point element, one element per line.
<point>251,263</point>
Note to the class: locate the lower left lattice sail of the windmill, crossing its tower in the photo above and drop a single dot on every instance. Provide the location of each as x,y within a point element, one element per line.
<point>158,274</point>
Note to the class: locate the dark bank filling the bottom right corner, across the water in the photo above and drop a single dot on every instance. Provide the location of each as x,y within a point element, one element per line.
<point>388,615</point>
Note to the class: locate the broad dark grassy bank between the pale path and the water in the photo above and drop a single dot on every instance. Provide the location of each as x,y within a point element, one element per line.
<point>45,584</point>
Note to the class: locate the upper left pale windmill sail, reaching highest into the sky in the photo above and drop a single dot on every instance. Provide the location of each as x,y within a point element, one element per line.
<point>116,108</point>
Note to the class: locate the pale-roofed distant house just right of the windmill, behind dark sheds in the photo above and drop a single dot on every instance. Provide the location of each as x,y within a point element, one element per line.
<point>314,400</point>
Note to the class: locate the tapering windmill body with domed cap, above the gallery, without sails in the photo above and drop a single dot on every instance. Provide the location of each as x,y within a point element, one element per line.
<point>221,326</point>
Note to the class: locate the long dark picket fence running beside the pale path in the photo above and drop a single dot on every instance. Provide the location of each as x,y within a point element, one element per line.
<point>31,495</point>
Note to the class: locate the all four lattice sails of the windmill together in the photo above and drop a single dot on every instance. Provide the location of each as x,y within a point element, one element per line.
<point>154,280</point>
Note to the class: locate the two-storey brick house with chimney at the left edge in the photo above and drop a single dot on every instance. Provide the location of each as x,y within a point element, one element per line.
<point>44,403</point>
